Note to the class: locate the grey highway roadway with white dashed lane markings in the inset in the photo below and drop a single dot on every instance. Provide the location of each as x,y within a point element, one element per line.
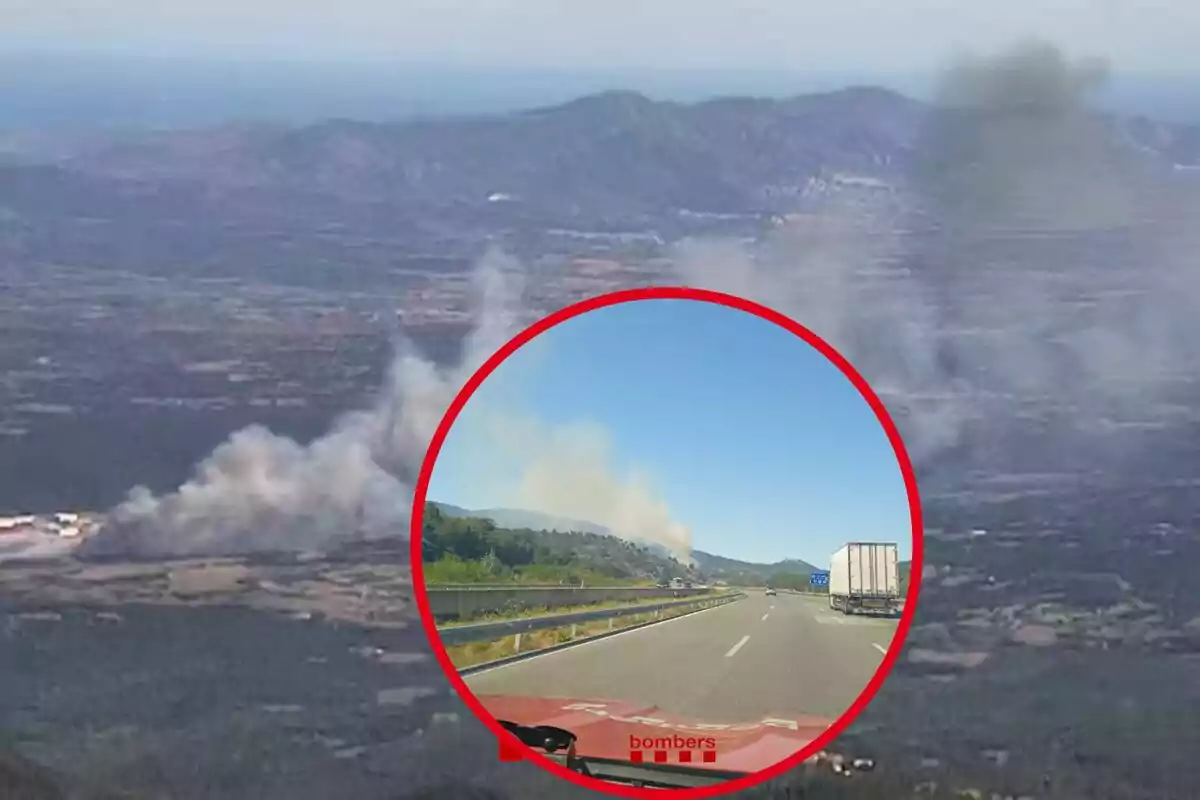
<point>737,663</point>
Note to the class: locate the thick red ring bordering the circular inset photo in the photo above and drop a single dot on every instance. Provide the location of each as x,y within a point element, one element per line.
<point>730,302</point>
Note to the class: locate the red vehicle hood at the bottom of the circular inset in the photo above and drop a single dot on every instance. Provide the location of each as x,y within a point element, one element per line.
<point>619,730</point>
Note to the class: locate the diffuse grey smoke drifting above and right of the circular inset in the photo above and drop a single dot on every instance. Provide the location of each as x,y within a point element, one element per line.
<point>1040,264</point>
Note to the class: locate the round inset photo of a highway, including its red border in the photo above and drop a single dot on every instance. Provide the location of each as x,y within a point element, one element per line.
<point>667,539</point>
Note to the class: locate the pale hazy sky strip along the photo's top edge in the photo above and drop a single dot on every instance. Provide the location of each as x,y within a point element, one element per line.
<point>1143,35</point>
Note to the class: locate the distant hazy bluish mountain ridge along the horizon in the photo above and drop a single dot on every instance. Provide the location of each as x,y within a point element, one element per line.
<point>843,123</point>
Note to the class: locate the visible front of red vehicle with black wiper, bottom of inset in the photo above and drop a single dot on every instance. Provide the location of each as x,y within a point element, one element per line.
<point>638,745</point>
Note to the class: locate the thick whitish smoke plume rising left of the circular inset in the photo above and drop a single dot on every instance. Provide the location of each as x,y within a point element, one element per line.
<point>265,492</point>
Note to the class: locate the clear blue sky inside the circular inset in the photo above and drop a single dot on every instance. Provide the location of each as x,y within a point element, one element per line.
<point>751,437</point>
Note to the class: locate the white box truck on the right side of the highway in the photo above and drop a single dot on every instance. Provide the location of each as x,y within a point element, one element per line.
<point>865,578</point>
